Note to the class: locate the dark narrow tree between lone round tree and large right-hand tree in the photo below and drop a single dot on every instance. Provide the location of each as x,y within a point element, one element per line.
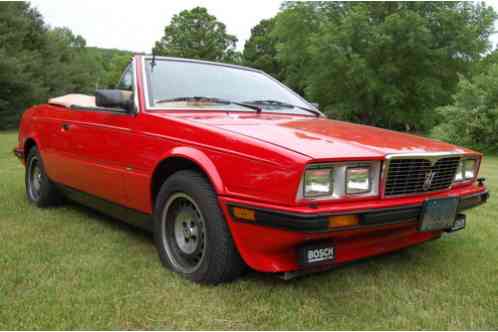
<point>260,51</point>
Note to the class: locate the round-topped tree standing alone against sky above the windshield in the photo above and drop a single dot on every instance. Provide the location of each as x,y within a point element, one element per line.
<point>198,35</point>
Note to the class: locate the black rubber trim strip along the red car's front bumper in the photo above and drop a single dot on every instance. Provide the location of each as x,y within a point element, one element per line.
<point>319,222</point>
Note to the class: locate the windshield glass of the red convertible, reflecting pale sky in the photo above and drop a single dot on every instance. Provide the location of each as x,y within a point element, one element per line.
<point>170,80</point>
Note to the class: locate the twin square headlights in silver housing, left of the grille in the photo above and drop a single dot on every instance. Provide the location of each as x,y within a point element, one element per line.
<point>340,180</point>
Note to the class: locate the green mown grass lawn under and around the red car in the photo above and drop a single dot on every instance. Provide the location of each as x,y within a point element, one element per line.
<point>70,268</point>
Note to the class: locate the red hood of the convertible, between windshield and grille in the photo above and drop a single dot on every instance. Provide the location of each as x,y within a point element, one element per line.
<point>321,138</point>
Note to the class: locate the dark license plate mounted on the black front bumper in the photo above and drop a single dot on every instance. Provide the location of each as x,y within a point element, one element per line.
<point>438,214</point>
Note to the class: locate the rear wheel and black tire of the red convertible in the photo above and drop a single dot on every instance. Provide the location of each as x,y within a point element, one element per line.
<point>43,193</point>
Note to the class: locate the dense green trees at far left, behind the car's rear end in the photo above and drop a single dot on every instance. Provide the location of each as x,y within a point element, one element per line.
<point>37,62</point>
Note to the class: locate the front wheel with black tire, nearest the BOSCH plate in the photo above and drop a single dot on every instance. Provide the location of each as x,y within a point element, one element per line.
<point>214,258</point>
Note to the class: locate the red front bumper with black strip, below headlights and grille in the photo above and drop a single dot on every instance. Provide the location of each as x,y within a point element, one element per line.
<point>270,243</point>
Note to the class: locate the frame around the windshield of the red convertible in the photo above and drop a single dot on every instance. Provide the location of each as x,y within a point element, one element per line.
<point>165,107</point>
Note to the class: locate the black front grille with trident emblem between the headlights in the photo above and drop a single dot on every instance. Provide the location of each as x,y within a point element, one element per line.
<point>411,176</point>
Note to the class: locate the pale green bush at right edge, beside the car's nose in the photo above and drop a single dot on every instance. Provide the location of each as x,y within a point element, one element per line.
<point>472,119</point>
